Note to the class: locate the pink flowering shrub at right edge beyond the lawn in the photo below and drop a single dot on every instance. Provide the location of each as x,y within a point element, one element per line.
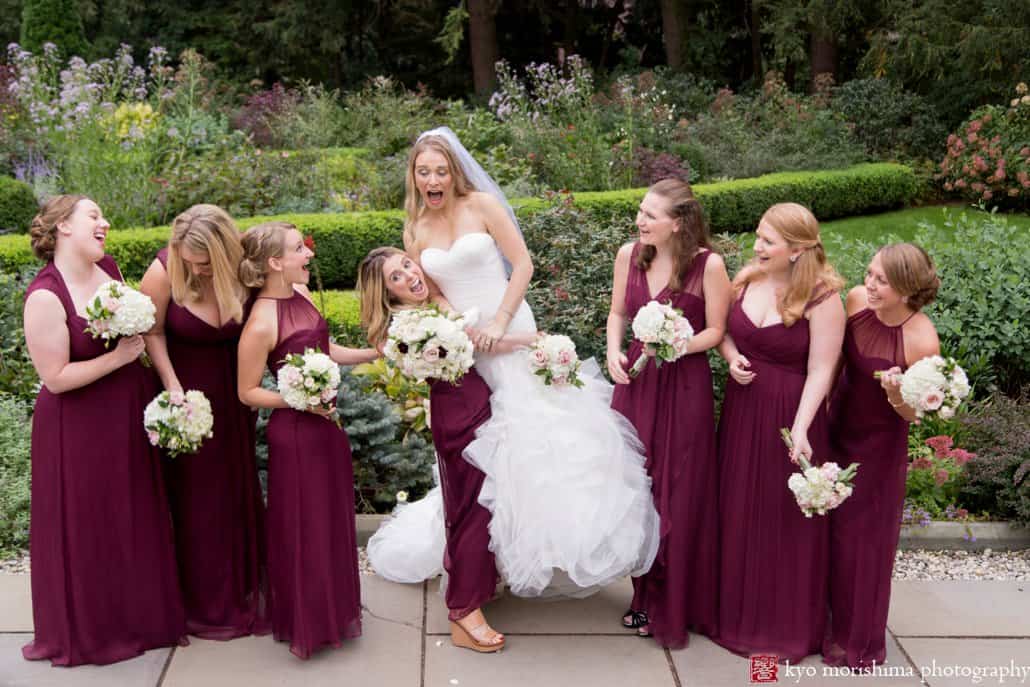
<point>988,158</point>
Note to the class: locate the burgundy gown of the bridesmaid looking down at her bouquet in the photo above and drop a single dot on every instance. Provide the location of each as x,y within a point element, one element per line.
<point>215,495</point>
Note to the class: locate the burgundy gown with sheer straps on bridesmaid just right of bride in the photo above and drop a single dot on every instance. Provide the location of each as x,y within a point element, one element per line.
<point>672,408</point>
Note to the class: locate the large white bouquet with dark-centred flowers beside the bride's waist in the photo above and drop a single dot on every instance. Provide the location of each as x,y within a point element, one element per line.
<point>425,343</point>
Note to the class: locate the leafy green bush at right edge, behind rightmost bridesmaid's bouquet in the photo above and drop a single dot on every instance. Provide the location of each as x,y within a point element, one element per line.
<point>984,303</point>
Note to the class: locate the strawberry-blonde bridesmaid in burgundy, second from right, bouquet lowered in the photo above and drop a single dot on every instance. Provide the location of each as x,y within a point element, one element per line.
<point>783,342</point>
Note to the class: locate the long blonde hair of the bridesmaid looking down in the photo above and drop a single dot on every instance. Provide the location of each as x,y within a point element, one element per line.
<point>209,230</point>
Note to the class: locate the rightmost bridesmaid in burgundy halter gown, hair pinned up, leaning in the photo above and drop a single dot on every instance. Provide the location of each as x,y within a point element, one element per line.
<point>870,425</point>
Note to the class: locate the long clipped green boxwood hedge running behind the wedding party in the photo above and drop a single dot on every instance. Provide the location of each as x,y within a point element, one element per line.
<point>344,239</point>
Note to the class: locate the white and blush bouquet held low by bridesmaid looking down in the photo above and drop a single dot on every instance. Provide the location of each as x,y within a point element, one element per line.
<point>178,422</point>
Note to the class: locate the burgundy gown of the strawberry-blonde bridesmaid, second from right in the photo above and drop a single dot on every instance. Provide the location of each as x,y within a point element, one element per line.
<point>774,560</point>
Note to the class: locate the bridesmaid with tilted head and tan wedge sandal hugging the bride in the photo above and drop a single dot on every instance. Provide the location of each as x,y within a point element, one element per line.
<point>389,281</point>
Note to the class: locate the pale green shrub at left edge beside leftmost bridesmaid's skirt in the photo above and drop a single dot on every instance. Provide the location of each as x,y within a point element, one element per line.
<point>16,445</point>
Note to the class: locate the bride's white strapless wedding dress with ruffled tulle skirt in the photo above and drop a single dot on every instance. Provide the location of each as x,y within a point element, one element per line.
<point>570,499</point>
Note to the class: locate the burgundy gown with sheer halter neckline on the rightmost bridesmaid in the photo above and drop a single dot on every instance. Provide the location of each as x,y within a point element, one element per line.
<point>865,529</point>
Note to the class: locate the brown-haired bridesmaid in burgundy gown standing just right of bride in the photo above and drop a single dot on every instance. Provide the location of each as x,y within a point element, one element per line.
<point>672,409</point>
